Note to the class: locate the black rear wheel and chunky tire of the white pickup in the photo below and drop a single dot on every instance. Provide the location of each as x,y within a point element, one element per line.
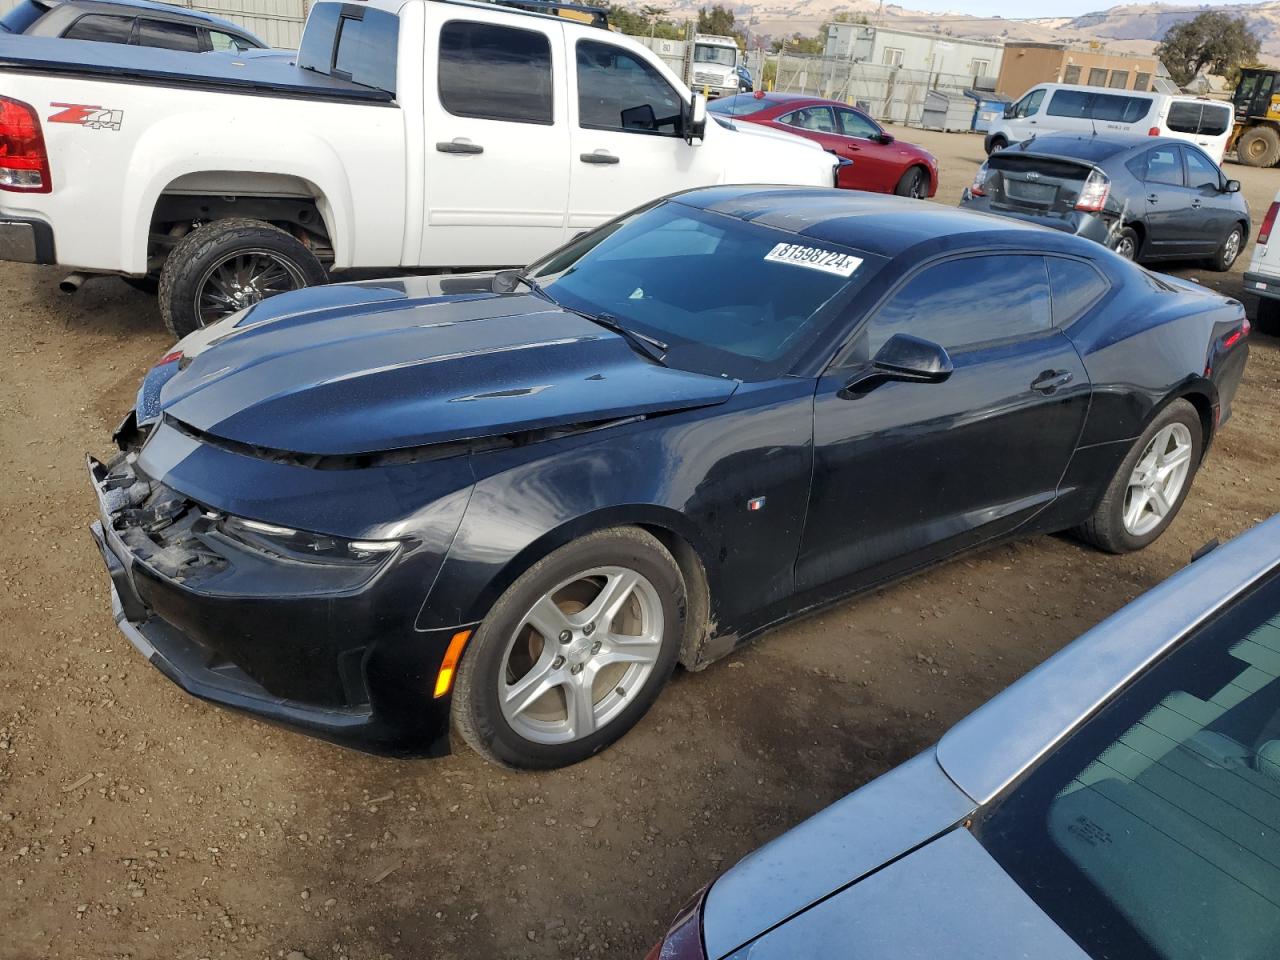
<point>227,266</point>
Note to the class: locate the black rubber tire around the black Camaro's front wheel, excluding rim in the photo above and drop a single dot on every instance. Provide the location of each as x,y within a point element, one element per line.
<point>476,711</point>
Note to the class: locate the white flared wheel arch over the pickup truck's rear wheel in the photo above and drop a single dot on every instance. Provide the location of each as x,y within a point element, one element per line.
<point>164,153</point>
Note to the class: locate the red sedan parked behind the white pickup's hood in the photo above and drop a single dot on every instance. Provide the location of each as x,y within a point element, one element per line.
<point>880,163</point>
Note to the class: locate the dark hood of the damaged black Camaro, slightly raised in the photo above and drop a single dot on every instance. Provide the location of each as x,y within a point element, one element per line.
<point>381,367</point>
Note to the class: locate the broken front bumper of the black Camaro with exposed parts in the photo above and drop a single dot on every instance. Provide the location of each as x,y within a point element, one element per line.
<point>305,648</point>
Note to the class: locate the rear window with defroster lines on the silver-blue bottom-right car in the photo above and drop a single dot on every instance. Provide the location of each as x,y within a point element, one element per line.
<point>1154,831</point>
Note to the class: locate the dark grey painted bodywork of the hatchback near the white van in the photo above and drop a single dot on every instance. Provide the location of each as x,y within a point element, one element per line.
<point>1173,222</point>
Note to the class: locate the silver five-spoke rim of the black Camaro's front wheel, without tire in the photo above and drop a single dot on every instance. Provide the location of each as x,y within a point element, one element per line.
<point>580,655</point>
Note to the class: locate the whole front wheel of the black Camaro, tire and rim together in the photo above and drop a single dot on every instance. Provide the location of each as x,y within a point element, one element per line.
<point>574,653</point>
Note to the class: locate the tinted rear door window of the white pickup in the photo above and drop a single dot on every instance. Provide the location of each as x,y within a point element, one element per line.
<point>496,74</point>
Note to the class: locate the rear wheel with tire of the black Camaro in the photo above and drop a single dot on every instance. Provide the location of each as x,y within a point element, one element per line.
<point>1151,483</point>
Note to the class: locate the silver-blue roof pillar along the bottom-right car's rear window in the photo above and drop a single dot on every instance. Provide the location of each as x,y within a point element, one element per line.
<point>991,748</point>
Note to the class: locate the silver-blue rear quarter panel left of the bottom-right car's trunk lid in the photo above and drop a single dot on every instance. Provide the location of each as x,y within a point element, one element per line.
<point>831,851</point>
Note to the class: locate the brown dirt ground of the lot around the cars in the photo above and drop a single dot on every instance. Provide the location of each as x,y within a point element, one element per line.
<point>138,822</point>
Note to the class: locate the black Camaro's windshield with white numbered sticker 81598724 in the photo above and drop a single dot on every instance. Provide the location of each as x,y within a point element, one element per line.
<point>729,298</point>
